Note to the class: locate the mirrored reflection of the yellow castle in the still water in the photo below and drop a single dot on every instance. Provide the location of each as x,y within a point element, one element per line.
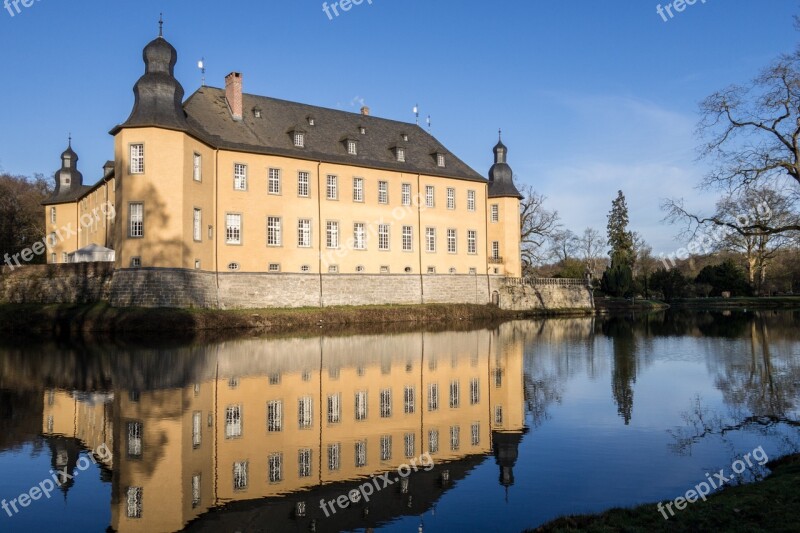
<point>297,420</point>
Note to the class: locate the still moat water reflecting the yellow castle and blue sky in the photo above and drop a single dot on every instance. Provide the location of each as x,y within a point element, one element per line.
<point>496,429</point>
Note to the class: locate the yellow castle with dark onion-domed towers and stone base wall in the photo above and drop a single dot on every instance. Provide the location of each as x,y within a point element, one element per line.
<point>237,200</point>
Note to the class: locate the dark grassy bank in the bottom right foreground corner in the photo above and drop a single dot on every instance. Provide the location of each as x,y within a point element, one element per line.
<point>769,505</point>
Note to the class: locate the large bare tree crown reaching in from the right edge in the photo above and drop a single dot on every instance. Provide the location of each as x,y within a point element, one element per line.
<point>752,135</point>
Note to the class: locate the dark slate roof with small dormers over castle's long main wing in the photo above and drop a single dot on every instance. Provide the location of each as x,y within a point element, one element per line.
<point>209,118</point>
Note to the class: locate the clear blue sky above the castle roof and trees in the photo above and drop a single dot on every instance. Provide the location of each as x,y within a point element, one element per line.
<point>592,96</point>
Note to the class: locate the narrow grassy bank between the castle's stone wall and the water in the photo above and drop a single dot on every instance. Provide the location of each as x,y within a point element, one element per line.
<point>63,319</point>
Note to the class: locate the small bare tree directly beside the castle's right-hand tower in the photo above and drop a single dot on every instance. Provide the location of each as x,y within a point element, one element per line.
<point>538,224</point>
